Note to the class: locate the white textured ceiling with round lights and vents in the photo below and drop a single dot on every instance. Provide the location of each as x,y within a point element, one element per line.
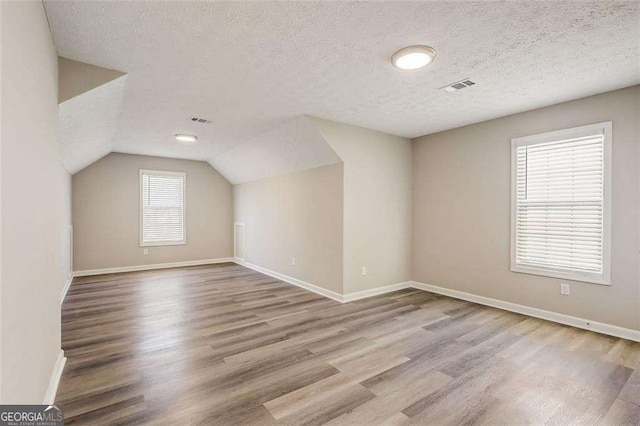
<point>252,66</point>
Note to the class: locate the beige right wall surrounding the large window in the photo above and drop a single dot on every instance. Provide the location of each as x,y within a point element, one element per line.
<point>462,210</point>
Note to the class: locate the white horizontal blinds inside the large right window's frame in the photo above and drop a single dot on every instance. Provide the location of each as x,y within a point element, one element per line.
<point>559,188</point>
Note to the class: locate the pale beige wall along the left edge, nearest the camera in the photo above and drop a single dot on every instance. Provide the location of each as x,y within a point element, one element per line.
<point>34,213</point>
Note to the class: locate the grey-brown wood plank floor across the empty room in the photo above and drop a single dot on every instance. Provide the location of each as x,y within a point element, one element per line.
<point>225,345</point>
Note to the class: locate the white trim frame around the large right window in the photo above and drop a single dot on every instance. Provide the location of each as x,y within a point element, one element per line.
<point>606,129</point>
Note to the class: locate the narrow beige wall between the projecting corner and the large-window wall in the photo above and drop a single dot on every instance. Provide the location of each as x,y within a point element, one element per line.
<point>377,204</point>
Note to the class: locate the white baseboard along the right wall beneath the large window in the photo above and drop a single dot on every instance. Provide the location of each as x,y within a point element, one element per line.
<point>598,327</point>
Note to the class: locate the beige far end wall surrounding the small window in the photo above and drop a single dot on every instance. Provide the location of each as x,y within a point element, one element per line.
<point>106,213</point>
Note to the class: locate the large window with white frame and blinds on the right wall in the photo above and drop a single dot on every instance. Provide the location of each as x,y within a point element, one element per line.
<point>561,204</point>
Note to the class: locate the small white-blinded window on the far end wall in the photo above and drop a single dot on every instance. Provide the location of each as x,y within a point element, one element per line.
<point>162,208</point>
